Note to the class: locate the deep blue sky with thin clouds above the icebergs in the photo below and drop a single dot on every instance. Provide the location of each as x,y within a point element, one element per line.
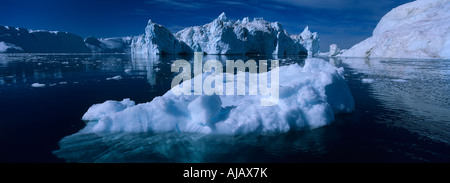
<point>343,22</point>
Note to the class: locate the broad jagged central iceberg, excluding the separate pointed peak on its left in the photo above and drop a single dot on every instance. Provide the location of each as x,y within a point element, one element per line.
<point>223,36</point>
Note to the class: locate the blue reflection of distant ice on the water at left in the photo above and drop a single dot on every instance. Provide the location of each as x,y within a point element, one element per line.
<point>25,69</point>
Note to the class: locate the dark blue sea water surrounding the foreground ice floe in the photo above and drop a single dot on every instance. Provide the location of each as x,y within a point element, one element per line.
<point>402,114</point>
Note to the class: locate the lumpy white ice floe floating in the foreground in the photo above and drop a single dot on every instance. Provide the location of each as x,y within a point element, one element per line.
<point>309,98</point>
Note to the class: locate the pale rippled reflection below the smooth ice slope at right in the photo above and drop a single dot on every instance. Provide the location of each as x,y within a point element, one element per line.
<point>416,91</point>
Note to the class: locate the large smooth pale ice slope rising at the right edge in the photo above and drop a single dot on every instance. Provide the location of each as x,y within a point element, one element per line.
<point>419,29</point>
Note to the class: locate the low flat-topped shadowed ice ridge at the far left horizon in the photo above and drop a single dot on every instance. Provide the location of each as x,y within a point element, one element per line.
<point>37,41</point>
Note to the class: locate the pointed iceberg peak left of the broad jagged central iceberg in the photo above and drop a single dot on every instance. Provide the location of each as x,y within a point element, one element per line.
<point>158,40</point>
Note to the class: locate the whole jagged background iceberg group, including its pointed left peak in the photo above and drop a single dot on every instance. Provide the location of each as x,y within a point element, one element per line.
<point>223,36</point>
